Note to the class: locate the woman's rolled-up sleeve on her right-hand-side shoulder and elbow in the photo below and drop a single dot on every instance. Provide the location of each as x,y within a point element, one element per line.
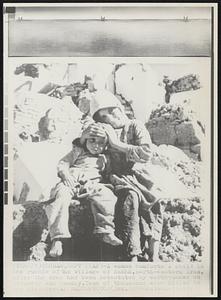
<point>140,149</point>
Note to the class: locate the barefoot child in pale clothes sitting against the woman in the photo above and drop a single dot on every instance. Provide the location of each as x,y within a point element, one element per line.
<point>81,172</point>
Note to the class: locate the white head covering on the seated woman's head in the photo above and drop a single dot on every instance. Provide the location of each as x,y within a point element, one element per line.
<point>103,99</point>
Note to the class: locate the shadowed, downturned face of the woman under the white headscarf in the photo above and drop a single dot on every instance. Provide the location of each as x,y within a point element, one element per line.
<point>112,116</point>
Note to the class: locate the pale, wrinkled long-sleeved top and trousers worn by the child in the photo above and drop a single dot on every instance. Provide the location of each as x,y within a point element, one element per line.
<point>81,162</point>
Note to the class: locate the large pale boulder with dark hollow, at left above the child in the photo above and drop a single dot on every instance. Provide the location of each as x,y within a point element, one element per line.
<point>31,117</point>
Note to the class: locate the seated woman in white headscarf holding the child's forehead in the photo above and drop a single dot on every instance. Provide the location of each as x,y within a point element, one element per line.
<point>138,211</point>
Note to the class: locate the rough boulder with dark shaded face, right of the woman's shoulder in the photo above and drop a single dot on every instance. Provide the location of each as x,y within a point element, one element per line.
<point>171,124</point>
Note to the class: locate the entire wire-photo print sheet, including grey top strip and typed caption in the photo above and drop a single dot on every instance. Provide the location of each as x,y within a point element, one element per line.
<point>109,141</point>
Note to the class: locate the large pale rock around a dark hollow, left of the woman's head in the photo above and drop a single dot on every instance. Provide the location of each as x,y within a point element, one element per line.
<point>30,108</point>
